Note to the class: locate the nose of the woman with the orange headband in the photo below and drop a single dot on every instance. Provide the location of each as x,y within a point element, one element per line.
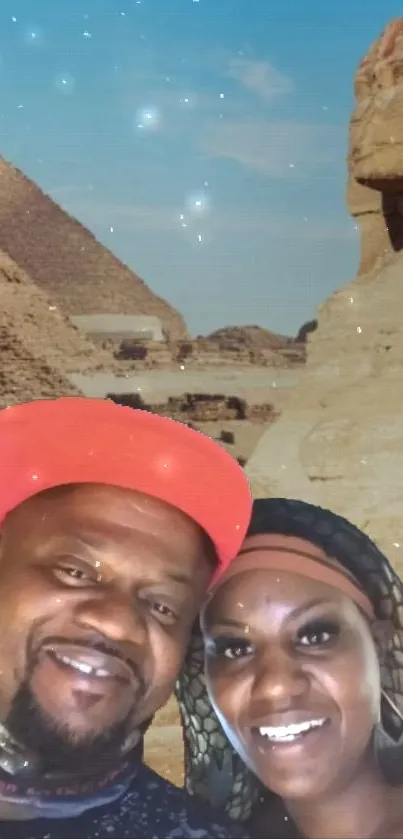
<point>279,680</point>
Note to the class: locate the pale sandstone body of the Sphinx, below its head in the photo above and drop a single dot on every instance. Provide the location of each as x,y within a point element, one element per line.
<point>339,442</point>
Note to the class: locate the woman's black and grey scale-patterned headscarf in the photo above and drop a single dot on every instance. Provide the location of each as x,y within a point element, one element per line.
<point>212,768</point>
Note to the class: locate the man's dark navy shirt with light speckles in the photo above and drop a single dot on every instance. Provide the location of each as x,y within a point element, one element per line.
<point>151,809</point>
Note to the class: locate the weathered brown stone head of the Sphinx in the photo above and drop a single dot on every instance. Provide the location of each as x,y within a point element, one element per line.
<point>375,186</point>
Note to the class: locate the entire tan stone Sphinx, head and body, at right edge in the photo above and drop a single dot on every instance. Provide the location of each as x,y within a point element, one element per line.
<point>339,442</point>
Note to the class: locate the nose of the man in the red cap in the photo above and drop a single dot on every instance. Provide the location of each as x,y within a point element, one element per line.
<point>114,615</point>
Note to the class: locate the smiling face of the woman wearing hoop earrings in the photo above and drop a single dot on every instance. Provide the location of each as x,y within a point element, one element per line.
<point>293,674</point>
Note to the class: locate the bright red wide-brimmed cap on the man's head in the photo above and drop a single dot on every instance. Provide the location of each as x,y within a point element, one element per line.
<point>71,440</point>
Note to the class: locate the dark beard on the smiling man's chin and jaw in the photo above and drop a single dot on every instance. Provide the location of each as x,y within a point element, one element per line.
<point>56,745</point>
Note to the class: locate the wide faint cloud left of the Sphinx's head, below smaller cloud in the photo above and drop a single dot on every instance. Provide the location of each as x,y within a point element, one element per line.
<point>276,149</point>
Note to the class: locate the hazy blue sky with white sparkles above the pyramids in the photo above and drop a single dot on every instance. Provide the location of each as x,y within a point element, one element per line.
<point>203,141</point>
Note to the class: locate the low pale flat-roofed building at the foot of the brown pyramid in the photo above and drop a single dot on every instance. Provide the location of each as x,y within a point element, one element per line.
<point>120,327</point>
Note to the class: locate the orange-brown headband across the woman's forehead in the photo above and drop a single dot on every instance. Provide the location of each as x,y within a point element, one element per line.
<point>312,567</point>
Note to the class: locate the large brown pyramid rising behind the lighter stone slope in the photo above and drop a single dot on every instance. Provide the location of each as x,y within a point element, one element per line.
<point>65,259</point>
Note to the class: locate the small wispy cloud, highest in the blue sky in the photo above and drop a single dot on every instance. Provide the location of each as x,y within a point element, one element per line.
<point>260,78</point>
